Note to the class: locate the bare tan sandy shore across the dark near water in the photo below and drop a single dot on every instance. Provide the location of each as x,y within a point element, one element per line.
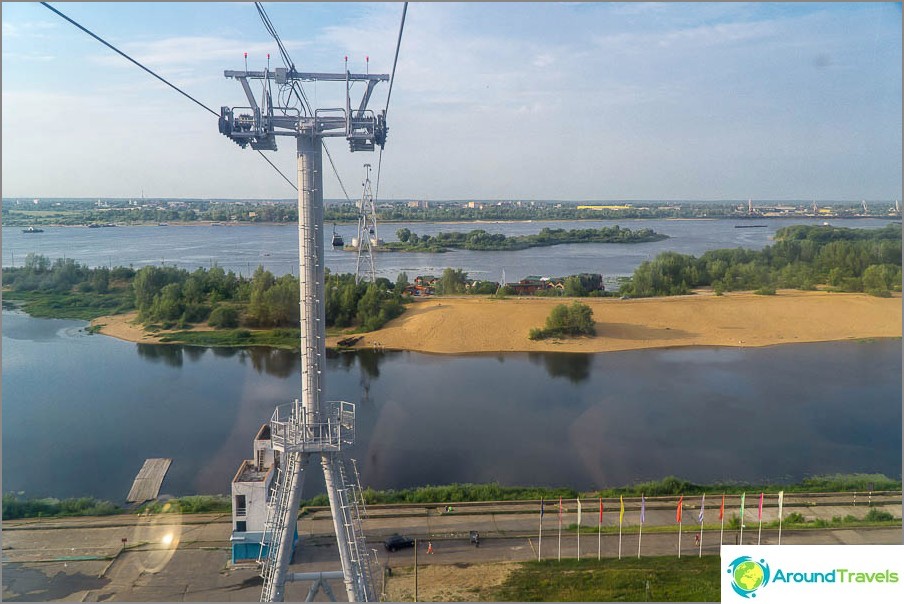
<point>473,325</point>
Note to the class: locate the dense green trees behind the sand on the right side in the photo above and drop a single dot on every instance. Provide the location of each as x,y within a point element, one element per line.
<point>802,257</point>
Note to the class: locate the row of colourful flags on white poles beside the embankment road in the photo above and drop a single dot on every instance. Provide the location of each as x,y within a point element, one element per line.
<point>678,519</point>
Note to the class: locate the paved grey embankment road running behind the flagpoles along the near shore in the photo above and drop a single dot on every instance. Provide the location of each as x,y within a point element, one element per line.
<point>85,558</point>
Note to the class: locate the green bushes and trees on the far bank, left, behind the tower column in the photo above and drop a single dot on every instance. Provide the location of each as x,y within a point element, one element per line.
<point>169,297</point>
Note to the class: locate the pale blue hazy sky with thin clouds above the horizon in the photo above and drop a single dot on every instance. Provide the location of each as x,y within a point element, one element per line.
<point>549,101</point>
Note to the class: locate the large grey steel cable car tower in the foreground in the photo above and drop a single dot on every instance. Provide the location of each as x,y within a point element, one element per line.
<point>309,428</point>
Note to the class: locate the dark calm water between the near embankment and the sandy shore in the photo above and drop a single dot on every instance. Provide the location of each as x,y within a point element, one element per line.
<point>82,412</point>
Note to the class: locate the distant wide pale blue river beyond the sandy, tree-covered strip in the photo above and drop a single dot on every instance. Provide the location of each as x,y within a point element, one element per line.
<point>243,248</point>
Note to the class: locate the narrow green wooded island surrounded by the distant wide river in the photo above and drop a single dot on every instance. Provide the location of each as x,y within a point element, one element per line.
<point>480,240</point>
